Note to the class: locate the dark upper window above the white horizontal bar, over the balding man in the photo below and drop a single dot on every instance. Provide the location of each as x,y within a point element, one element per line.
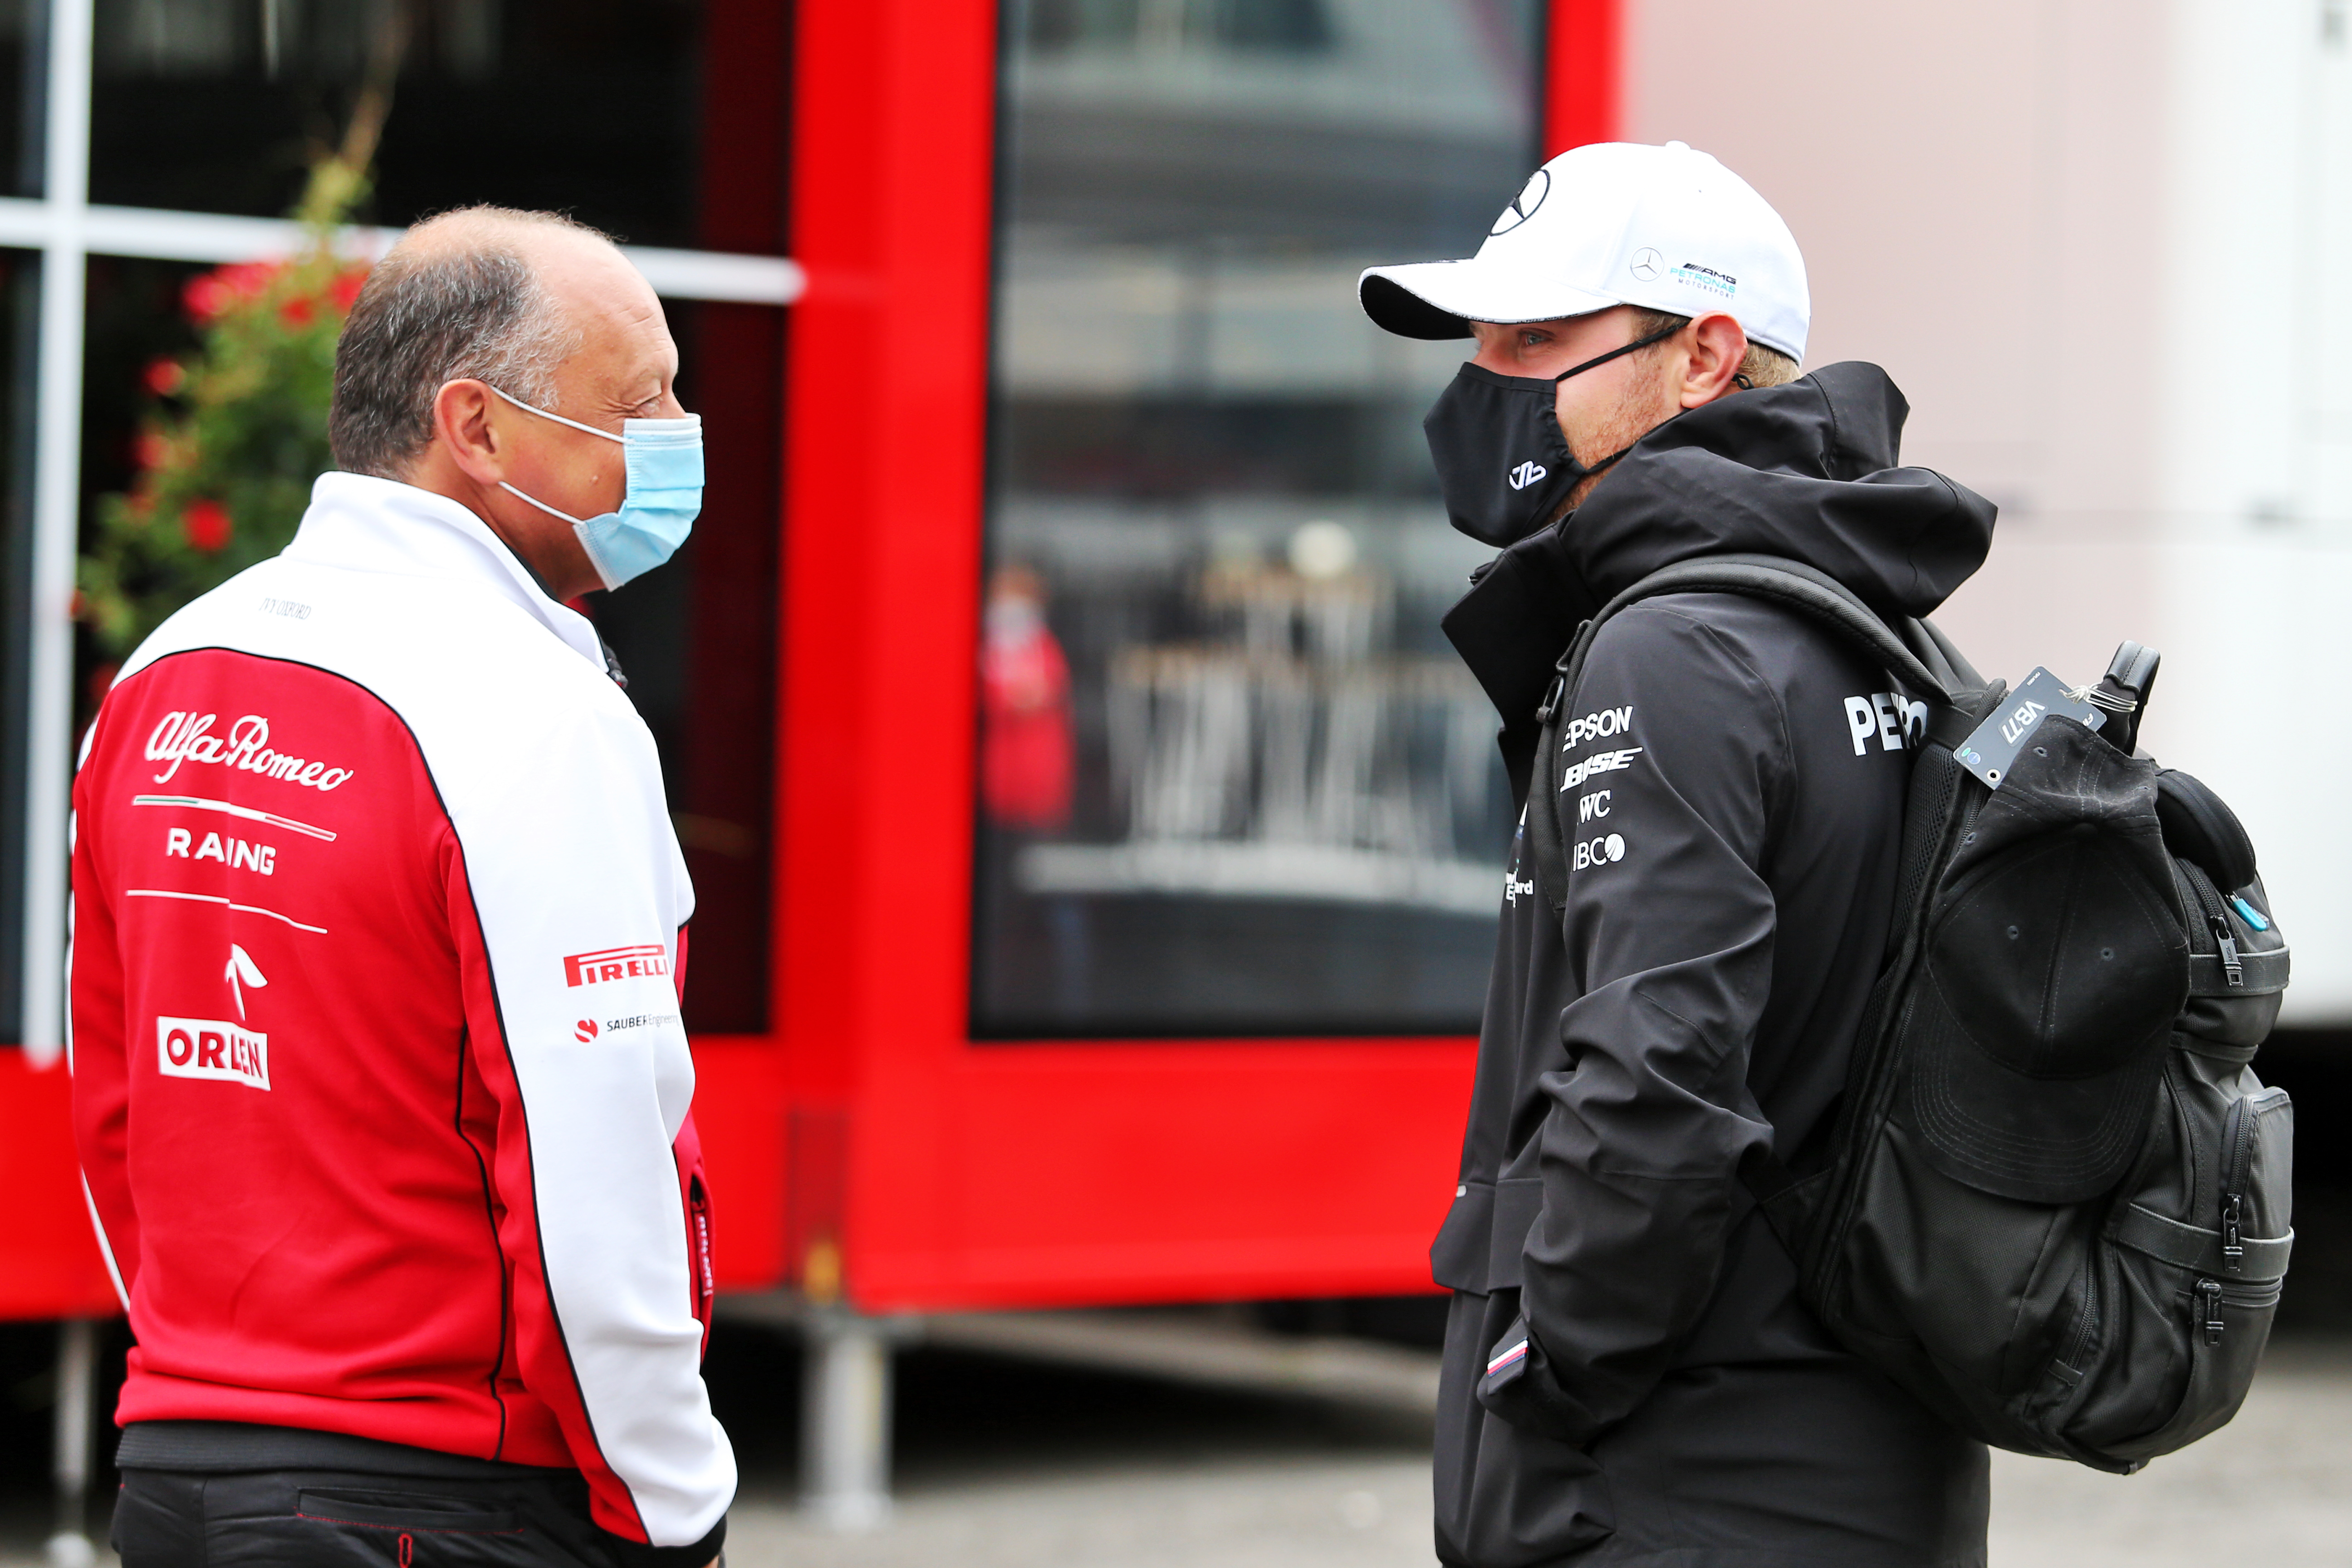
<point>587,107</point>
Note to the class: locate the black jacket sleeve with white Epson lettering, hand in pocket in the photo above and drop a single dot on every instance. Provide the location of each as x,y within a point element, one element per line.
<point>1673,758</point>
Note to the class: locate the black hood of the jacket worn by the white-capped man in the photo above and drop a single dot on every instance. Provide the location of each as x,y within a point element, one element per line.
<point>1808,471</point>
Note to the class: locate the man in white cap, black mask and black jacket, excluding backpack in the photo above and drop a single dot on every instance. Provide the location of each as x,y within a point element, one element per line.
<point>1629,1374</point>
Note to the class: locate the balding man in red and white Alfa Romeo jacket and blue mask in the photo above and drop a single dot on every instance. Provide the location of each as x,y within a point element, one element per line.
<point>380,925</point>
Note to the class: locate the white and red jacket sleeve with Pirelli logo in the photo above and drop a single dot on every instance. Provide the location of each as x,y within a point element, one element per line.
<point>568,897</point>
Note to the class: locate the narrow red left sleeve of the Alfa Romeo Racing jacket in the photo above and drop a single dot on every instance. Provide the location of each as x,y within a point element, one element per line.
<point>98,1052</point>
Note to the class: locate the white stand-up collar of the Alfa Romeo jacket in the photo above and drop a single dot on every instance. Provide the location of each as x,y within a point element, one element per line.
<point>361,523</point>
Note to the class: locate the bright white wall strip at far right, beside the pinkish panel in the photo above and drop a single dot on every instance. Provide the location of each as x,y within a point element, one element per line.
<point>2257,413</point>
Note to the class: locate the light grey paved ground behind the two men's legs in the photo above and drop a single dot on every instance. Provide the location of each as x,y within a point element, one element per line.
<point>2273,1489</point>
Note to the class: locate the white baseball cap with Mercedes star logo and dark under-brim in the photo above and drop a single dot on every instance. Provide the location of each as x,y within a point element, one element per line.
<point>1612,225</point>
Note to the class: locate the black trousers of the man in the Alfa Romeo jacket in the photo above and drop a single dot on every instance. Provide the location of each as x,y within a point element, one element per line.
<point>342,1517</point>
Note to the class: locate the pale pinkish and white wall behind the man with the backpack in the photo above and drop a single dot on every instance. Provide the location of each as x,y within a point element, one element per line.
<point>2106,248</point>
